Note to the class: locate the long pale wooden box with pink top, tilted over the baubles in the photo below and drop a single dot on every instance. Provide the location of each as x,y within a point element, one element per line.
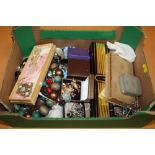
<point>29,82</point>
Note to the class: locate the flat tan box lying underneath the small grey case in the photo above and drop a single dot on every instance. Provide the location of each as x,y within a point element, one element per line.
<point>117,66</point>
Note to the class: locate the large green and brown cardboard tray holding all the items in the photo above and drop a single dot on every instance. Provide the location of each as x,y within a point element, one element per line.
<point>24,38</point>
